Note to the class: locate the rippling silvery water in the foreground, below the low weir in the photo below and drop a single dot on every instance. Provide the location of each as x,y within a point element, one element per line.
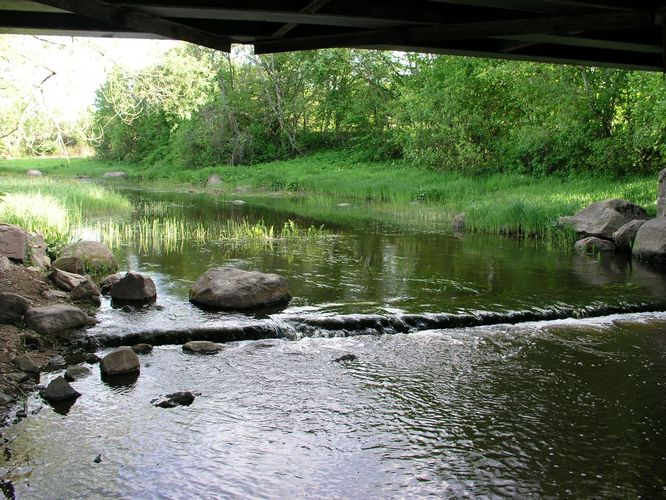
<point>540,409</point>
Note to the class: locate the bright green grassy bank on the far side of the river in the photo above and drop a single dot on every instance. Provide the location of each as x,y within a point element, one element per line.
<point>494,204</point>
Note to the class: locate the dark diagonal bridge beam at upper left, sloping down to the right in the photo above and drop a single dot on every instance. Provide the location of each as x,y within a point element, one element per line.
<point>122,19</point>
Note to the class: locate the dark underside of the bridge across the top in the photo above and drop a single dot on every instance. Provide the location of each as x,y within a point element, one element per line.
<point>615,33</point>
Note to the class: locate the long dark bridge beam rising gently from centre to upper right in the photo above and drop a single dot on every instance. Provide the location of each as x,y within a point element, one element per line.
<point>461,31</point>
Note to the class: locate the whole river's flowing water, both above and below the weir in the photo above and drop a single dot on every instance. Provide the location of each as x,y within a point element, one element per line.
<point>564,407</point>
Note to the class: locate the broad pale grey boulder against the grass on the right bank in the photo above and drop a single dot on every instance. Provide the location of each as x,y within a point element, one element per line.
<point>603,218</point>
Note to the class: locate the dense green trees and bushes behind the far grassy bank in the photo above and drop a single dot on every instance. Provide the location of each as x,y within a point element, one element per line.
<point>200,108</point>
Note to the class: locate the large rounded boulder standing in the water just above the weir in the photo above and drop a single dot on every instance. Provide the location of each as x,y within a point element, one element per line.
<point>235,289</point>
